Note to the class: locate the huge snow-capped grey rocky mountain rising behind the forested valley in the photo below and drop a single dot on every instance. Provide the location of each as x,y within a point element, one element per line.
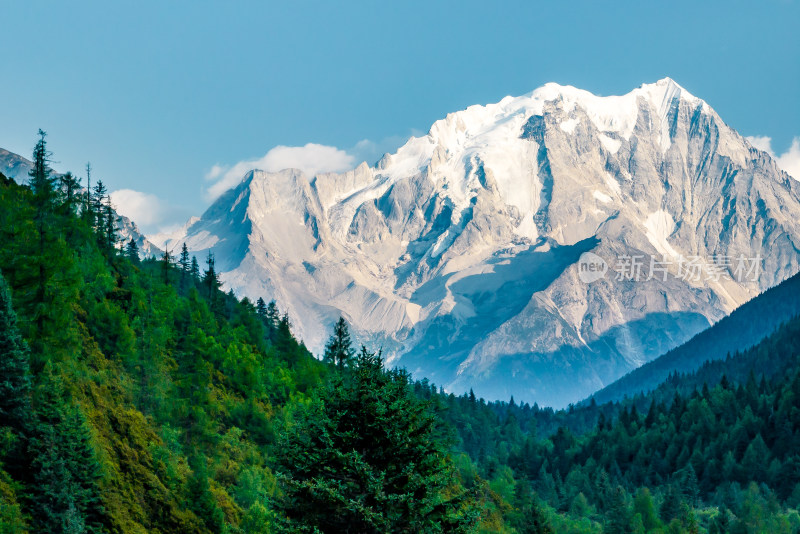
<point>459,254</point>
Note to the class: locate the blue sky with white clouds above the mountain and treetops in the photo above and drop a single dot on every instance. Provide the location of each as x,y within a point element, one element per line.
<point>161,95</point>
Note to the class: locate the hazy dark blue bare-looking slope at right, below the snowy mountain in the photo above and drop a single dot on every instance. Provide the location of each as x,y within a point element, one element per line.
<point>743,328</point>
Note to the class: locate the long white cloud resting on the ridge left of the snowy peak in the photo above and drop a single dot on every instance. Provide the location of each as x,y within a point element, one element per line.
<point>312,159</point>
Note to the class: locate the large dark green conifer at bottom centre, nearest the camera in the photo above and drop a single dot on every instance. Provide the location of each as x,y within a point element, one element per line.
<point>364,458</point>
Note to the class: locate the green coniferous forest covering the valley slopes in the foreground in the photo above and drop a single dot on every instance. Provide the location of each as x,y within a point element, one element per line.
<point>136,396</point>
